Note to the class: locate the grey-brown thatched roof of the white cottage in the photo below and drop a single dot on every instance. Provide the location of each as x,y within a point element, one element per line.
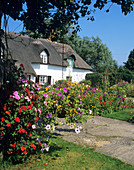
<point>26,50</point>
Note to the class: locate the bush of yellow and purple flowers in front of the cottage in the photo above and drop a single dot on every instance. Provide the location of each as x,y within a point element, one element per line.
<point>62,102</point>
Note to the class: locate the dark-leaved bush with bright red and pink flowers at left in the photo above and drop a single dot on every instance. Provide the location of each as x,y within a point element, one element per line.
<point>19,123</point>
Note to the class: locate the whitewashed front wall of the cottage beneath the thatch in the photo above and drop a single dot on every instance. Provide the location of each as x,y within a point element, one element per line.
<point>56,72</point>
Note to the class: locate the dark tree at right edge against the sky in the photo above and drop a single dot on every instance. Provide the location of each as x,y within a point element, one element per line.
<point>130,62</point>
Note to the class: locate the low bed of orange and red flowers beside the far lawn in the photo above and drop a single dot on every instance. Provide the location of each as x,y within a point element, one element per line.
<point>101,102</point>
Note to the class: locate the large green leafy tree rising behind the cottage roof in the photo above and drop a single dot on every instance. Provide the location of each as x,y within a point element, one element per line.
<point>93,51</point>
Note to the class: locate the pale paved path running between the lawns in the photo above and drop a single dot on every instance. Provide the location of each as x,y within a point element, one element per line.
<point>109,136</point>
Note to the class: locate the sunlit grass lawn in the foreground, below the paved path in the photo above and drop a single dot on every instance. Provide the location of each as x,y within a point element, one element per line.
<point>65,155</point>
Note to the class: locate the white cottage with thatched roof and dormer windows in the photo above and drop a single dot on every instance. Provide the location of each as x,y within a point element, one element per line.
<point>46,61</point>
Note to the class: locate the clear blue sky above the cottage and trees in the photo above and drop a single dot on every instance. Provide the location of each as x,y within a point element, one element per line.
<point>114,29</point>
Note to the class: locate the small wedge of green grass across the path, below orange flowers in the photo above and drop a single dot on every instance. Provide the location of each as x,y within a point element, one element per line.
<point>121,115</point>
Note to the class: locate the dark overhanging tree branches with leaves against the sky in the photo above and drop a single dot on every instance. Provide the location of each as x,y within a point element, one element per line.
<point>35,14</point>
